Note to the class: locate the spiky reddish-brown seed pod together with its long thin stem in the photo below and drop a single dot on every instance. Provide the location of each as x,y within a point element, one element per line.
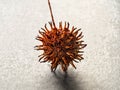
<point>60,45</point>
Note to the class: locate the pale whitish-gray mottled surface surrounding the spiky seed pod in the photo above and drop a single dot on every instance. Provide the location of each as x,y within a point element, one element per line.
<point>20,21</point>
